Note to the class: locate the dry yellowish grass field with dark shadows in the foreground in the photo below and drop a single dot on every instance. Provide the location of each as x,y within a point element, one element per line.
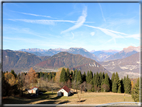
<point>85,98</point>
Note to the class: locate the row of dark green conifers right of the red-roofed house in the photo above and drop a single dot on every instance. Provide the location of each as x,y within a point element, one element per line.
<point>96,82</point>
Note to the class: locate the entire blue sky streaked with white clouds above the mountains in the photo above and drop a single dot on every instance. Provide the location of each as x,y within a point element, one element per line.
<point>93,26</point>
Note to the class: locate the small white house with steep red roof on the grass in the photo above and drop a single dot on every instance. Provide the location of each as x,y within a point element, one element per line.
<point>65,91</point>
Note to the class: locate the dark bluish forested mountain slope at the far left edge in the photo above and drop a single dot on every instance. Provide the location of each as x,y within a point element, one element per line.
<point>18,60</point>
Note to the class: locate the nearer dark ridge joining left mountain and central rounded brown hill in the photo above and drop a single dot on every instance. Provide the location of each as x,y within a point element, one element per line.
<point>21,61</point>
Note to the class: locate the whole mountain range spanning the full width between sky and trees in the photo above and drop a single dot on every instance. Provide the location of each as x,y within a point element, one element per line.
<point>123,62</point>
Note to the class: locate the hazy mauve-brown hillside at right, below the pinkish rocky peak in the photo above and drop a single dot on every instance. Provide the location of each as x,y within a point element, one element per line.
<point>129,65</point>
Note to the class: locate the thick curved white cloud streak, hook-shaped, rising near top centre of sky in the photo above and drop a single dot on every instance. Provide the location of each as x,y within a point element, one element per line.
<point>79,22</point>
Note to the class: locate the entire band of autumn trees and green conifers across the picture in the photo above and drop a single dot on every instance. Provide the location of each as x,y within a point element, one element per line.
<point>95,82</point>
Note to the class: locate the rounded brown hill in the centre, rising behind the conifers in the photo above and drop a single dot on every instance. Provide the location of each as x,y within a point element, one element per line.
<point>71,61</point>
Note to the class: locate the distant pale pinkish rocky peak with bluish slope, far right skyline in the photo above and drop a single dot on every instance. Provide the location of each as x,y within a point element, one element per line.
<point>124,53</point>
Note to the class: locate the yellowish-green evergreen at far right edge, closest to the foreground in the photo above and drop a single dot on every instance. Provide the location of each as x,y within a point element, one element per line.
<point>135,91</point>
